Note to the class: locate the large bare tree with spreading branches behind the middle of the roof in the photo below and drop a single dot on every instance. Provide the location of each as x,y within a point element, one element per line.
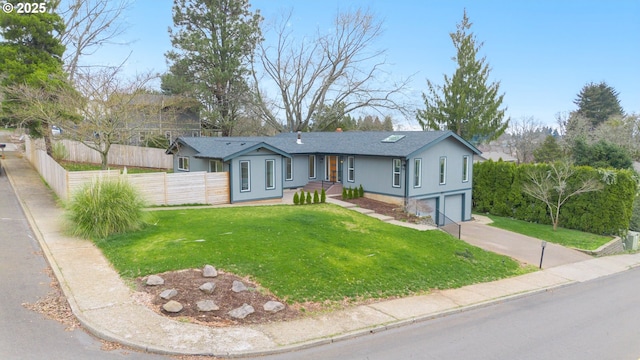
<point>336,68</point>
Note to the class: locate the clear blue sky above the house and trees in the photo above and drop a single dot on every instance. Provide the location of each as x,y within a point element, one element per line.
<point>542,51</point>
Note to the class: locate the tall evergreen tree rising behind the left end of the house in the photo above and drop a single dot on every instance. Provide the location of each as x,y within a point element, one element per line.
<point>213,44</point>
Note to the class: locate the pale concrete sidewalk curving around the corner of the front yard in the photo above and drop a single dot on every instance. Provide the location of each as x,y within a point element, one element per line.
<point>106,306</point>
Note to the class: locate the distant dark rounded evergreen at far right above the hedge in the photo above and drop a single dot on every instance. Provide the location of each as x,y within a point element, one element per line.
<point>598,103</point>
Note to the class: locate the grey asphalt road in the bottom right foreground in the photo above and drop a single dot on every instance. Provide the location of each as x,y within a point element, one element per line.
<point>599,320</point>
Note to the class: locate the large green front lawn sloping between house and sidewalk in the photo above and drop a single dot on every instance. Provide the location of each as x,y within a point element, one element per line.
<point>316,253</point>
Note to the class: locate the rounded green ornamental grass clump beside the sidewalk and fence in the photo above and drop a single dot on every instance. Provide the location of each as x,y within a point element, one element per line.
<point>102,208</point>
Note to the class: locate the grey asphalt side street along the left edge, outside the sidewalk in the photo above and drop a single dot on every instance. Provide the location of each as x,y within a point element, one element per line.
<point>25,334</point>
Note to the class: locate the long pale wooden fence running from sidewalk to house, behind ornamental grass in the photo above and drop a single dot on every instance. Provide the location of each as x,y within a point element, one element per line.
<point>158,188</point>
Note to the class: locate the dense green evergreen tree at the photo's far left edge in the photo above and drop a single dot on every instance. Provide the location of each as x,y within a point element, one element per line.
<point>30,63</point>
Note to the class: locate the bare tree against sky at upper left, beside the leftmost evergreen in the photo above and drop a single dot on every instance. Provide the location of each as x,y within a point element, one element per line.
<point>89,24</point>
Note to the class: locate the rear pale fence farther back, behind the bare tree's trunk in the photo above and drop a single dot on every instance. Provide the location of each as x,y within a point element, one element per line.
<point>124,155</point>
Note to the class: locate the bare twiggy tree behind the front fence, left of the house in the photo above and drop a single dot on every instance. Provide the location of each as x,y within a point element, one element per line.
<point>110,109</point>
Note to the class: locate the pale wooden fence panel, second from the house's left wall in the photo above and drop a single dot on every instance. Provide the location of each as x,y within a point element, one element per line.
<point>186,188</point>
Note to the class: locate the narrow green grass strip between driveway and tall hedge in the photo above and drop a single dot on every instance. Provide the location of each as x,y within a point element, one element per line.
<point>566,237</point>
